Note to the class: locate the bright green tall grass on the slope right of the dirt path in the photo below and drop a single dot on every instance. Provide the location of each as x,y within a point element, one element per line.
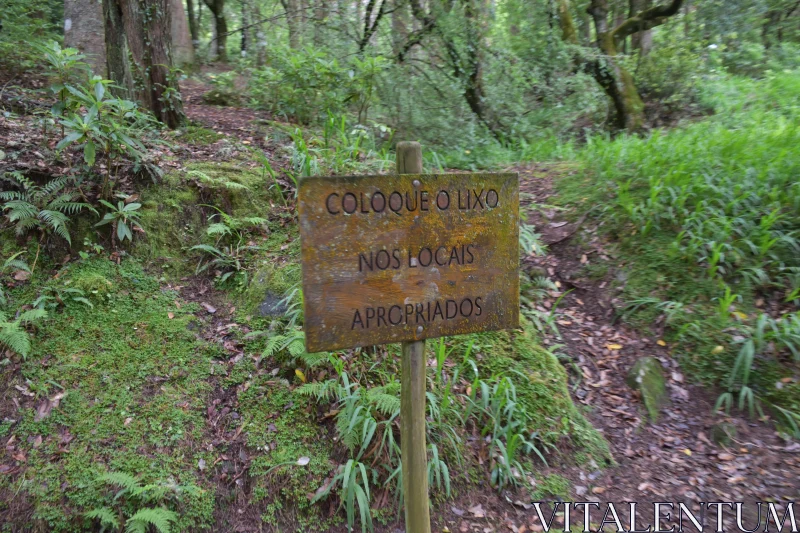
<point>703,209</point>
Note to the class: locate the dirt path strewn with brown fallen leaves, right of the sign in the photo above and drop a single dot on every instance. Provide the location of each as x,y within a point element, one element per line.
<point>673,460</point>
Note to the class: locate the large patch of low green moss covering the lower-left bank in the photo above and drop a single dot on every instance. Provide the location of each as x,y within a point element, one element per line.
<point>135,390</point>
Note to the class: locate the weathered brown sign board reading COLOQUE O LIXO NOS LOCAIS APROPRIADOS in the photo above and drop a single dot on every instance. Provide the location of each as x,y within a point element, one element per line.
<point>407,257</point>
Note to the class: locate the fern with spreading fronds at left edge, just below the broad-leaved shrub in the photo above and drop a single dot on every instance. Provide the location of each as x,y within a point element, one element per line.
<point>46,209</point>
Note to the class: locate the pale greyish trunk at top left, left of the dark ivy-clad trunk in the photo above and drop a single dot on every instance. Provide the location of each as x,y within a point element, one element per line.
<point>82,18</point>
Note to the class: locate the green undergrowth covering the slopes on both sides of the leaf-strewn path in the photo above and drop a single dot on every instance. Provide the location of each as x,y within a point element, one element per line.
<point>154,368</point>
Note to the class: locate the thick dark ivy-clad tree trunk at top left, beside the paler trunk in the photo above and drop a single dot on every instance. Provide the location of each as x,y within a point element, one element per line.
<point>147,31</point>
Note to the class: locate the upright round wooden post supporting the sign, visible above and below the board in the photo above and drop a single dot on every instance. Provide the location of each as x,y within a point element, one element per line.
<point>412,398</point>
